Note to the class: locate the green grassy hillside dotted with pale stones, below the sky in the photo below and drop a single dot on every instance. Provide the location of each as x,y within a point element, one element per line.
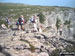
<point>16,9</point>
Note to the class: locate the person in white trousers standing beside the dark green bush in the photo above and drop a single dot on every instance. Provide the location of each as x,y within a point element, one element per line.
<point>36,23</point>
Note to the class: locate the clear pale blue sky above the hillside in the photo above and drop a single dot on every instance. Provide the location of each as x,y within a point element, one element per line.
<point>66,3</point>
